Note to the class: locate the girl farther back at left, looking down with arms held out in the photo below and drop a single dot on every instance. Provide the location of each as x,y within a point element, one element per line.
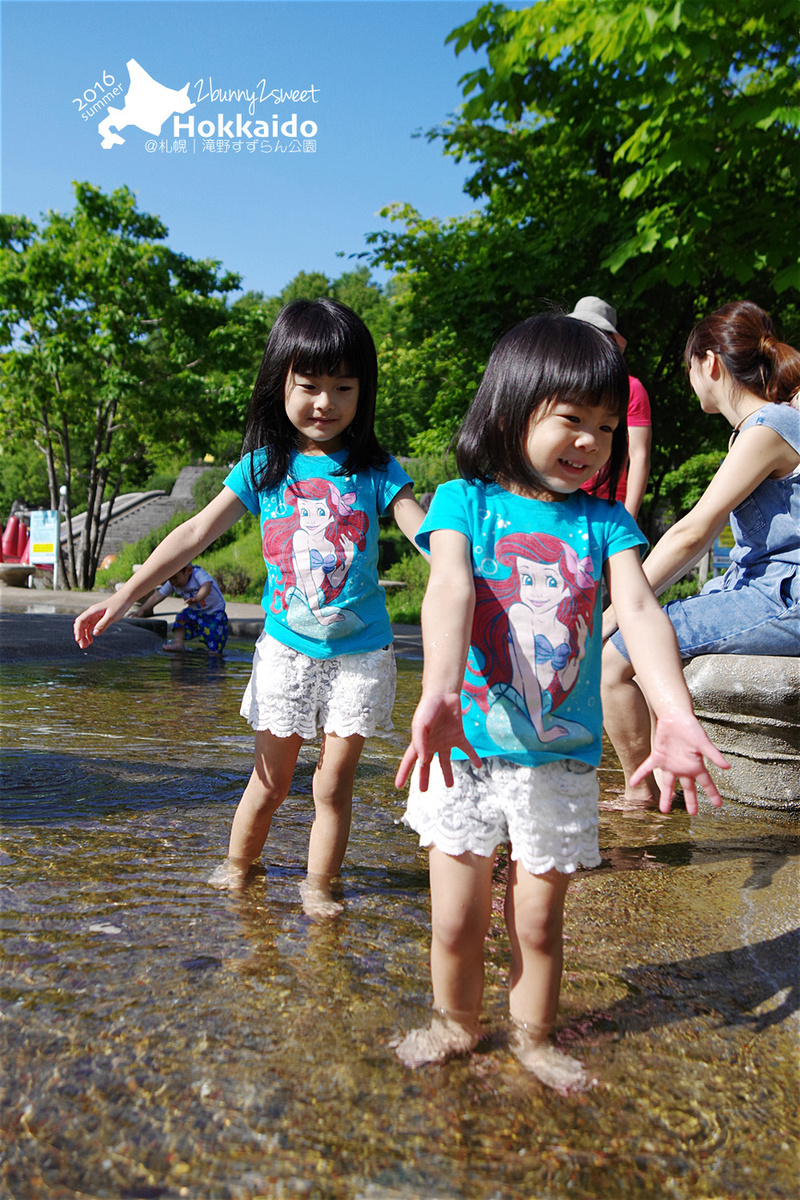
<point>315,473</point>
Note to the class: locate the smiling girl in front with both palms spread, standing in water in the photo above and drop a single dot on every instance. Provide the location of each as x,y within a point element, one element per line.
<point>513,616</point>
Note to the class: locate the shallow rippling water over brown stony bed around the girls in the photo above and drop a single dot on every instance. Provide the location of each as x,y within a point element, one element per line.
<point>164,1040</point>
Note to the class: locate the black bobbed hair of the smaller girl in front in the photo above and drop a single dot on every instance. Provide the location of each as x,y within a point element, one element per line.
<point>545,359</point>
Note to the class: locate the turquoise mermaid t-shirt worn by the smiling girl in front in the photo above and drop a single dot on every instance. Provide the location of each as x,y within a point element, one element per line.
<point>532,686</point>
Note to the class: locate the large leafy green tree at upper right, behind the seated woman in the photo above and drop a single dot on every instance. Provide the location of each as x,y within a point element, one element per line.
<point>645,153</point>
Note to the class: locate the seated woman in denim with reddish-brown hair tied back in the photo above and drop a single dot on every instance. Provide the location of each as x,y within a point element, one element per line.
<point>739,369</point>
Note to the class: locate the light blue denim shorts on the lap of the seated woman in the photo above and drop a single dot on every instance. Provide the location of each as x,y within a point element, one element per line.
<point>732,621</point>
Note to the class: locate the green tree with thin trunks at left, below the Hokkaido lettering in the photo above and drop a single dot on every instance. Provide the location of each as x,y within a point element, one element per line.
<point>106,339</point>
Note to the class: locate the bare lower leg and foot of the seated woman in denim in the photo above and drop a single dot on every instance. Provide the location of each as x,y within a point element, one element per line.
<point>627,718</point>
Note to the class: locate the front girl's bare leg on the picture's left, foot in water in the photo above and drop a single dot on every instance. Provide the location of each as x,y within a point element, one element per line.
<point>461,909</point>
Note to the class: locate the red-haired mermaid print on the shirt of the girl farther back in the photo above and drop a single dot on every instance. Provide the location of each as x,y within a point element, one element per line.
<point>317,538</point>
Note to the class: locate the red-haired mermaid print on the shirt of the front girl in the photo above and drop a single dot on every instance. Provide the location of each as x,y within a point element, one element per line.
<point>530,637</point>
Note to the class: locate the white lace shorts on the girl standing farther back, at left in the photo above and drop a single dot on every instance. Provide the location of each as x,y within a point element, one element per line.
<point>288,693</point>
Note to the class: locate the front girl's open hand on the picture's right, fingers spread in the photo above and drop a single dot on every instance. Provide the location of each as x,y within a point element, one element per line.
<point>679,748</point>
